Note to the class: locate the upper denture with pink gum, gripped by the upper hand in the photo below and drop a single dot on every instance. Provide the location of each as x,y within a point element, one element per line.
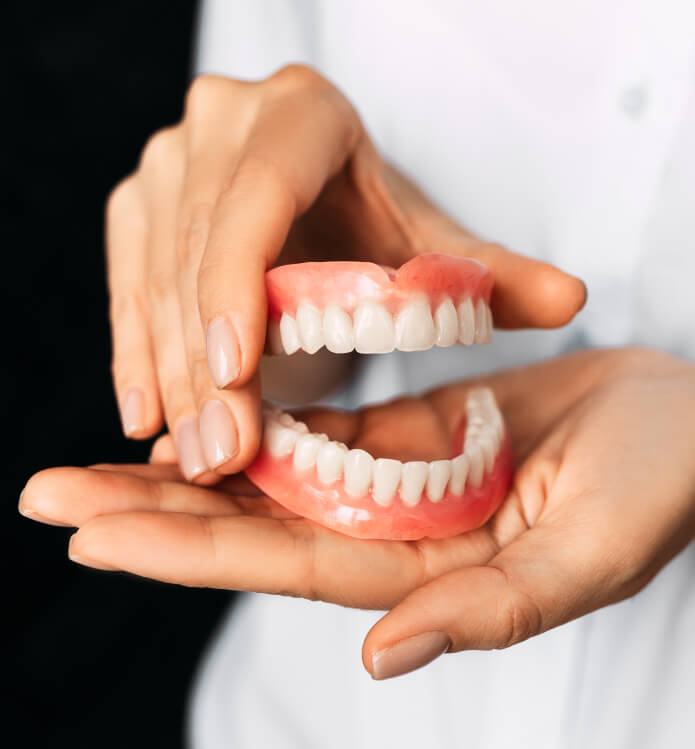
<point>433,300</point>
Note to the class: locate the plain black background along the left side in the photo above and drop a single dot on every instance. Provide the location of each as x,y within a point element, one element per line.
<point>89,659</point>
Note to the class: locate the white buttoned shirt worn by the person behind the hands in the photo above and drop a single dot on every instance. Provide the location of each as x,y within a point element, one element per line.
<point>566,131</point>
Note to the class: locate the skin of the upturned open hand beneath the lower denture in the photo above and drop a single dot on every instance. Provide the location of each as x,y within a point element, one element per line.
<point>588,522</point>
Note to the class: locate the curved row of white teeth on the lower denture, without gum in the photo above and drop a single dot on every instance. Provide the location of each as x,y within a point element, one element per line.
<point>383,478</point>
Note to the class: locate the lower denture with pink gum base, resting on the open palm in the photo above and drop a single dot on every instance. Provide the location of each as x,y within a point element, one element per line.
<point>365,496</point>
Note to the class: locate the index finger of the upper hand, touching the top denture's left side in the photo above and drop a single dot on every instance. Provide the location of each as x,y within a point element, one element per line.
<point>304,133</point>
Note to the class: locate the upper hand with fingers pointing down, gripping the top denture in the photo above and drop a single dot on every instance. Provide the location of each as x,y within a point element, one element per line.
<point>277,170</point>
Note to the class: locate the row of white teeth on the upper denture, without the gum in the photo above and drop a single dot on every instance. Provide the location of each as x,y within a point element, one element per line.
<point>371,329</point>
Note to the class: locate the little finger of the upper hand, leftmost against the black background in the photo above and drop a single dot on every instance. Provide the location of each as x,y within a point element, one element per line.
<point>134,374</point>
